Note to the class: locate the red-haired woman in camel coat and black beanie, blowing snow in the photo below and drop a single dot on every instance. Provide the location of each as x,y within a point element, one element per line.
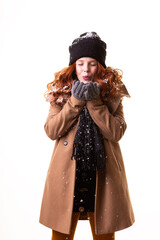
<point>86,177</point>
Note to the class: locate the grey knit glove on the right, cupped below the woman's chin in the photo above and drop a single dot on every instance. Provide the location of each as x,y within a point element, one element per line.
<point>92,91</point>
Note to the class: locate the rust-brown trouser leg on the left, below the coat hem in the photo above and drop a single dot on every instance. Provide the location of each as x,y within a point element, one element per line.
<point>62,236</point>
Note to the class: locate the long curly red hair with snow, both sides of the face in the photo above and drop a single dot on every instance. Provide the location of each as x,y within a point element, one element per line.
<point>109,79</point>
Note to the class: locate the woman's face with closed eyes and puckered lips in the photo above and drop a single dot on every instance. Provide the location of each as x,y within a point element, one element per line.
<point>86,68</point>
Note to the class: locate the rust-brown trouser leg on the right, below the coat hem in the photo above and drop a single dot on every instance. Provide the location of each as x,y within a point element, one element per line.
<point>109,236</point>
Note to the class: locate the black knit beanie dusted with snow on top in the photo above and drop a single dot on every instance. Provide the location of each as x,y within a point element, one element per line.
<point>88,44</point>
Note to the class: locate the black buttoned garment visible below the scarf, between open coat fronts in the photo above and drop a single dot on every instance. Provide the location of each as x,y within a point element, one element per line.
<point>84,193</point>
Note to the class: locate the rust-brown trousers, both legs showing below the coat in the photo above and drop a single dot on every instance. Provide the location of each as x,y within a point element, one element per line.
<point>75,217</point>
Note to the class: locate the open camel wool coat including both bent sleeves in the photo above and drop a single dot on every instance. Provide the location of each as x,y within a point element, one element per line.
<point>113,209</point>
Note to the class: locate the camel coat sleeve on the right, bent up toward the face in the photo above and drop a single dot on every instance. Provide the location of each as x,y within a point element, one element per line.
<point>112,125</point>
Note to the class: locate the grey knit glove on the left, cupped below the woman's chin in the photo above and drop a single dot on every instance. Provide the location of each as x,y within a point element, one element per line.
<point>78,90</point>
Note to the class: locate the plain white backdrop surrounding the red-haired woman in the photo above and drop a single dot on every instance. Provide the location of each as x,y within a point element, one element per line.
<point>34,41</point>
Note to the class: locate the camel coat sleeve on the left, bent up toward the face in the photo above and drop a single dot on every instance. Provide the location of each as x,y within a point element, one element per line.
<point>60,119</point>
